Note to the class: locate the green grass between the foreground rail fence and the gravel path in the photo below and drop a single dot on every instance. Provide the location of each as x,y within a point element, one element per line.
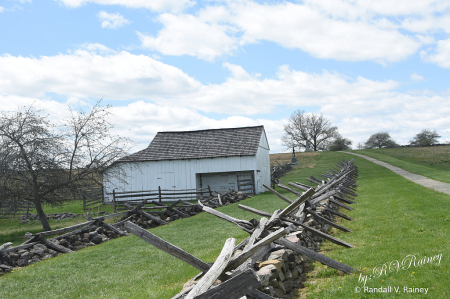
<point>394,218</point>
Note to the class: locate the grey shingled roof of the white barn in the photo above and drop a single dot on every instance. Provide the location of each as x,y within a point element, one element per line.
<point>200,144</point>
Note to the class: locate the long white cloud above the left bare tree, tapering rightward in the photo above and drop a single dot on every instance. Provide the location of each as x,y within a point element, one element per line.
<point>85,73</point>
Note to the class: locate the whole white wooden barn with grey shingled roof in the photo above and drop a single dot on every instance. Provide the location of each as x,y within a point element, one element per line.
<point>235,158</point>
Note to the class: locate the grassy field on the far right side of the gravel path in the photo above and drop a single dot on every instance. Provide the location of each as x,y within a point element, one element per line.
<point>431,162</point>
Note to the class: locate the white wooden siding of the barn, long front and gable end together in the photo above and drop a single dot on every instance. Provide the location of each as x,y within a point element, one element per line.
<point>181,174</point>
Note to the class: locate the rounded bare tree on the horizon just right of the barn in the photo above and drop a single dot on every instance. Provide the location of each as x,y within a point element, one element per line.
<point>314,129</point>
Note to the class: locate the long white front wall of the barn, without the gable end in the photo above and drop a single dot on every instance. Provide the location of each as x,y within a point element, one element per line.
<point>171,174</point>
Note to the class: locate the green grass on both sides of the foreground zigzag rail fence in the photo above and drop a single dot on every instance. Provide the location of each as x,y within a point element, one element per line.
<point>394,218</point>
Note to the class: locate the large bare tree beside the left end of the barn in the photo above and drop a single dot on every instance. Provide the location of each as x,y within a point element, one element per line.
<point>41,163</point>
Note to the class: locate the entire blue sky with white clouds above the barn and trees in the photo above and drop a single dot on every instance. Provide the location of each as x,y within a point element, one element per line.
<point>175,65</point>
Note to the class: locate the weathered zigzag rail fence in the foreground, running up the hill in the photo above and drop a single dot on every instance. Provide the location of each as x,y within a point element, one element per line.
<point>236,273</point>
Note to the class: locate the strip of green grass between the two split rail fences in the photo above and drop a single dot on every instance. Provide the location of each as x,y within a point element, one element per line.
<point>130,268</point>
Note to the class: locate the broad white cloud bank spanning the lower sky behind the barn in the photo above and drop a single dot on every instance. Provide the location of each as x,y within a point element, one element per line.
<point>169,99</point>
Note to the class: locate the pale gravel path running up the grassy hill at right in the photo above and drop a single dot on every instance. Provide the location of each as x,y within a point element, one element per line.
<point>419,179</point>
